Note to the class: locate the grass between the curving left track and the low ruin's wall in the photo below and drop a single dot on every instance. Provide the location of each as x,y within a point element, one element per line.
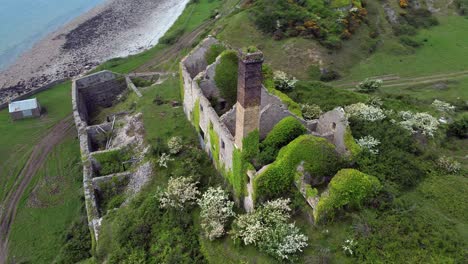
<point>48,207</point>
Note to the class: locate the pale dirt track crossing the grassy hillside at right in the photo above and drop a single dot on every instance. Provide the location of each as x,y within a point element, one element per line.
<point>395,80</point>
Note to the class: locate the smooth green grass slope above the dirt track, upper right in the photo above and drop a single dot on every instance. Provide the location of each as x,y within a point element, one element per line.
<point>444,51</point>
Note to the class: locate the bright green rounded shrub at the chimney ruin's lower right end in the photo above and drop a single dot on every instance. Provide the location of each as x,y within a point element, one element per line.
<point>350,188</point>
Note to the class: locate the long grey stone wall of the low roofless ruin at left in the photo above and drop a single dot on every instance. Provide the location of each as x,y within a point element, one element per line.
<point>97,90</point>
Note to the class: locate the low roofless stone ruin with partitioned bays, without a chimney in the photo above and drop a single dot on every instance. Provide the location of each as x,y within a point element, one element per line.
<point>119,135</point>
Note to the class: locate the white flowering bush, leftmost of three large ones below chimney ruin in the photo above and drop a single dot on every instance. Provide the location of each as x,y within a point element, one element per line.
<point>180,192</point>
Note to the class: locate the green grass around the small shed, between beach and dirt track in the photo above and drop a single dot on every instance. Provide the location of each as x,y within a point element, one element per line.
<point>19,137</point>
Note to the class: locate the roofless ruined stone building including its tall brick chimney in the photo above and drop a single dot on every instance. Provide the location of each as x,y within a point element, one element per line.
<point>256,109</point>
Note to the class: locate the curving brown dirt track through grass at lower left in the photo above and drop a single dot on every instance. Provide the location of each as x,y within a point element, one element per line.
<point>33,164</point>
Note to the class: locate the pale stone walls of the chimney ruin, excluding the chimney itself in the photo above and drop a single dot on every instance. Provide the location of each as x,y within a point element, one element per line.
<point>195,73</point>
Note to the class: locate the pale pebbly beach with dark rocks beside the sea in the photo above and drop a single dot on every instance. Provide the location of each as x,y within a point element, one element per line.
<point>115,28</point>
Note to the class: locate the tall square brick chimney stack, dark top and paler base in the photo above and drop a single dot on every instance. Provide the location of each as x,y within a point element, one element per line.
<point>249,89</point>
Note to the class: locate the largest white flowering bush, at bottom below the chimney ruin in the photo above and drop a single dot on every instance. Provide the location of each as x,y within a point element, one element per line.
<point>268,229</point>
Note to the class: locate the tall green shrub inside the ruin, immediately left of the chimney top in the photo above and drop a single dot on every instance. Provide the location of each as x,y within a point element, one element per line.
<point>226,76</point>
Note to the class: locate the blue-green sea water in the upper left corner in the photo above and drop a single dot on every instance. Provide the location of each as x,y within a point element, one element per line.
<point>24,22</point>
